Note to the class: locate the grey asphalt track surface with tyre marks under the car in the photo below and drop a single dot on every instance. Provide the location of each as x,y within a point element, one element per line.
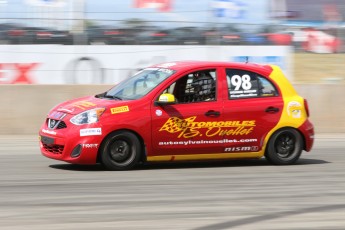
<point>39,193</point>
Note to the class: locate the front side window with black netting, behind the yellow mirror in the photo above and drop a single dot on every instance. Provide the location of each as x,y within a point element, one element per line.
<point>197,86</point>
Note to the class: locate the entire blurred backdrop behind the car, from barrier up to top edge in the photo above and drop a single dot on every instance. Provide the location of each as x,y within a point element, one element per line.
<point>78,47</point>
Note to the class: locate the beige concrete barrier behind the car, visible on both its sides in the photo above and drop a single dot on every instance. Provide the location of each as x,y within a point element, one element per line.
<point>24,107</point>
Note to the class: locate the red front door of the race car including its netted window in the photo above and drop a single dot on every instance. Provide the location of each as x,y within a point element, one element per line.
<point>188,126</point>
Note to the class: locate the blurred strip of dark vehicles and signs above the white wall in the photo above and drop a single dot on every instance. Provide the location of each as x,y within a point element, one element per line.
<point>309,25</point>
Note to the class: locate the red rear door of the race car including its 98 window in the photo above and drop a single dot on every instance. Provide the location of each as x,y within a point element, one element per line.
<point>253,105</point>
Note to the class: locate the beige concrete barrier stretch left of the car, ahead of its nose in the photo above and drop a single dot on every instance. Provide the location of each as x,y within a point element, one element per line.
<point>24,107</point>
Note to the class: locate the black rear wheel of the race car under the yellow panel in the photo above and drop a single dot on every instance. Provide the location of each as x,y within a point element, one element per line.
<point>284,147</point>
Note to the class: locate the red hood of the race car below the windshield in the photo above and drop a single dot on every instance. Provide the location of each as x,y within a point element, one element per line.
<point>79,105</point>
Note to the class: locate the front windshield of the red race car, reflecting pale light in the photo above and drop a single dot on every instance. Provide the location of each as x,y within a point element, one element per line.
<point>140,84</point>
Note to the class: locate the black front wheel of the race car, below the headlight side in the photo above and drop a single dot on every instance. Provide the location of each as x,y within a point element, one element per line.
<point>120,151</point>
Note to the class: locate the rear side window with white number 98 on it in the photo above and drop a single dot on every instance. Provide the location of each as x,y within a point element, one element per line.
<point>246,84</point>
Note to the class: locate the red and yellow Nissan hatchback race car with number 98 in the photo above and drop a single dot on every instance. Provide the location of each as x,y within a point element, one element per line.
<point>187,110</point>
